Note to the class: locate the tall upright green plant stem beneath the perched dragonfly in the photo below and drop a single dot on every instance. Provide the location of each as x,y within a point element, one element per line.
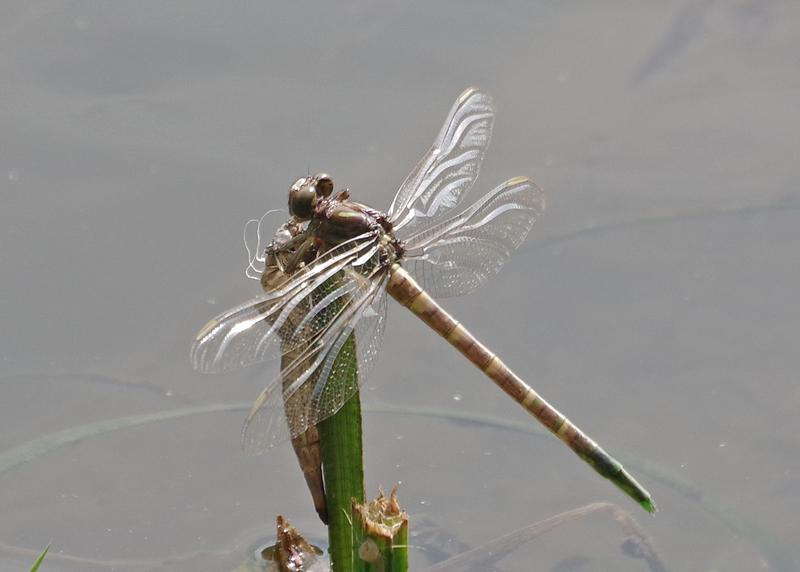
<point>342,466</point>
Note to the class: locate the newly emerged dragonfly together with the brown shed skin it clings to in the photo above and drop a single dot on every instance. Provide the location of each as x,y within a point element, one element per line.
<point>330,267</point>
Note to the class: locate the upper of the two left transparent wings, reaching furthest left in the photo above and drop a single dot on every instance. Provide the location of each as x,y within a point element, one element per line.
<point>245,334</point>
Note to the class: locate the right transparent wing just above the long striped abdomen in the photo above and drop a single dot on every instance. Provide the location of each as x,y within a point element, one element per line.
<point>459,254</point>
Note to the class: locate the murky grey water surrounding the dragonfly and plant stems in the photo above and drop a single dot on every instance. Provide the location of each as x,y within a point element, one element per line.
<point>655,302</point>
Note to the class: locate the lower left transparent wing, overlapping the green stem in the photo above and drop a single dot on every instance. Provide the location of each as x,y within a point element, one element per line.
<point>316,381</point>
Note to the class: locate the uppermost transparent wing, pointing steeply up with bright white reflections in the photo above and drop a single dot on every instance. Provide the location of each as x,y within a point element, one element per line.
<point>448,170</point>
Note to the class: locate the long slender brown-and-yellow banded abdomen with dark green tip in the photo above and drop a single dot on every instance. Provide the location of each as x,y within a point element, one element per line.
<point>407,292</point>
